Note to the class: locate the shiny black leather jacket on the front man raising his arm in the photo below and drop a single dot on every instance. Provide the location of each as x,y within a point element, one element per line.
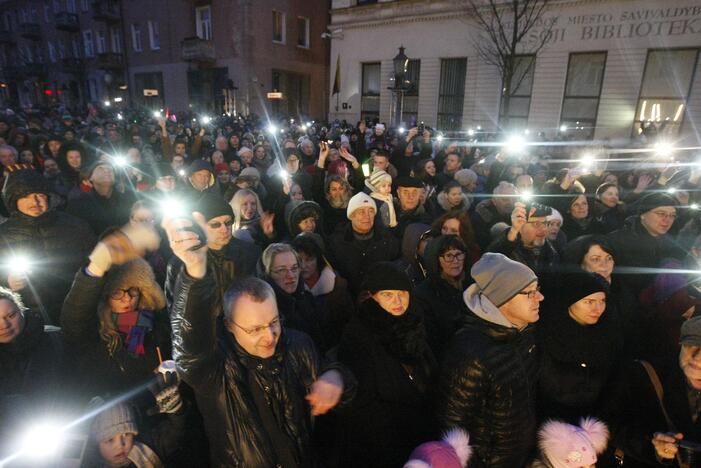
<point>223,375</point>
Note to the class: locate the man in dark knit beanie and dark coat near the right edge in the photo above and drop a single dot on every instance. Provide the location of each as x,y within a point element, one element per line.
<point>644,242</point>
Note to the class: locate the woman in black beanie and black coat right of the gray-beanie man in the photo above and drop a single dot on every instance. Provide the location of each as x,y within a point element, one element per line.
<point>580,346</point>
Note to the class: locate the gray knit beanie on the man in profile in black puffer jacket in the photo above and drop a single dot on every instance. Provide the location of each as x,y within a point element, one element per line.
<point>500,278</point>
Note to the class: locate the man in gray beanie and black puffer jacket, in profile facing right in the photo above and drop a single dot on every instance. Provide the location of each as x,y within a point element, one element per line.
<point>488,381</point>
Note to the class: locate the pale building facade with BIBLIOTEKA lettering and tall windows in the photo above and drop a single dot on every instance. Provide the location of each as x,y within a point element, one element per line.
<point>608,67</point>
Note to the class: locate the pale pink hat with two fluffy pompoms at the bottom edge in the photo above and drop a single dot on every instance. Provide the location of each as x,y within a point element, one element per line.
<point>568,446</point>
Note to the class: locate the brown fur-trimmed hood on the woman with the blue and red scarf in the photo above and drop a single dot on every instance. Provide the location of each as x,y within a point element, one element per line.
<point>136,273</point>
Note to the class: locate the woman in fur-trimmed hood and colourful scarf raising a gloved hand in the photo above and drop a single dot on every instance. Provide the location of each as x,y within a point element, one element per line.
<point>114,322</point>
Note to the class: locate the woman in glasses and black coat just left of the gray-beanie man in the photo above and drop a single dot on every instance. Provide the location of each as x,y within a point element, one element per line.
<point>439,297</point>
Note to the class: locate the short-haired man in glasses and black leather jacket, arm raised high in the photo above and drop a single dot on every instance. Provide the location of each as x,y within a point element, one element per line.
<point>250,374</point>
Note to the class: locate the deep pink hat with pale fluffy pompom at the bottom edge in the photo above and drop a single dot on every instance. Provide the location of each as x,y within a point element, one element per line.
<point>452,452</point>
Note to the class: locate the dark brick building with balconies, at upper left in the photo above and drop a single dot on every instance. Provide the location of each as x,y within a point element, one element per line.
<point>201,55</point>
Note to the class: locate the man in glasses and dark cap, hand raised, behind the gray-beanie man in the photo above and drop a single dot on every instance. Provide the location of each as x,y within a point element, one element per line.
<point>526,240</point>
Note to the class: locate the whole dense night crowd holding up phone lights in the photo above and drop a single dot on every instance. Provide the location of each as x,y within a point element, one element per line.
<point>234,292</point>
